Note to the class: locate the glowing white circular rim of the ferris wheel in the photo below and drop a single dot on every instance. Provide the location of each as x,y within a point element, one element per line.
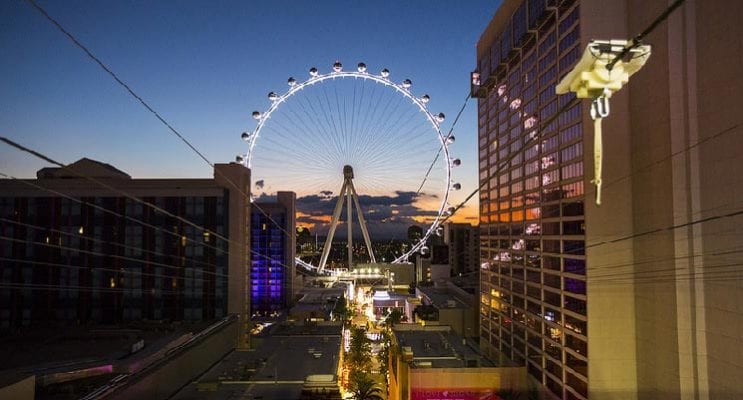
<point>296,87</point>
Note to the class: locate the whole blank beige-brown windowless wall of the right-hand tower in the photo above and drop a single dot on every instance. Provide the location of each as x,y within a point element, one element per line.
<point>674,159</point>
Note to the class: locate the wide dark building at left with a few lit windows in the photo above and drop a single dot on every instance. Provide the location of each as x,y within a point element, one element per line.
<point>76,252</point>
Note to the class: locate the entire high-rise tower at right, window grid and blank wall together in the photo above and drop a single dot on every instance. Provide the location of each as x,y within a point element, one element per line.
<point>638,298</point>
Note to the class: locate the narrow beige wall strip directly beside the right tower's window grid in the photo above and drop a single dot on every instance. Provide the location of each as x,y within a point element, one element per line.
<point>612,348</point>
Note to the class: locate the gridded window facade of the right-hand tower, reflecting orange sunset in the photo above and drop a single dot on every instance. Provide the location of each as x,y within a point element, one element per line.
<point>532,229</point>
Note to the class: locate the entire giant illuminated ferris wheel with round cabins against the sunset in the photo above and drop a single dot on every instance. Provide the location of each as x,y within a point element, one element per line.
<point>366,132</point>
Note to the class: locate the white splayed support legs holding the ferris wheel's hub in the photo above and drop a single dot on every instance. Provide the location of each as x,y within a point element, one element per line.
<point>351,198</point>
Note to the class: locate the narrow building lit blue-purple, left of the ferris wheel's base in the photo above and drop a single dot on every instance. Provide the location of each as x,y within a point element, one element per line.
<point>273,244</point>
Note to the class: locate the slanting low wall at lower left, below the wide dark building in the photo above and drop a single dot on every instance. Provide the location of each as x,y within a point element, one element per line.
<point>166,379</point>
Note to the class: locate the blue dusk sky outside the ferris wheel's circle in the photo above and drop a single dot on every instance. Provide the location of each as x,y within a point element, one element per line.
<point>206,68</point>
